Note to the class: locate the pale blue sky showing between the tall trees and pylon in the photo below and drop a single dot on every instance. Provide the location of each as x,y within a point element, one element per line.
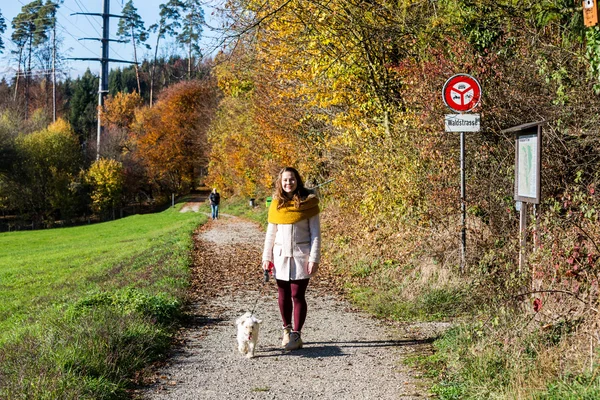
<point>73,27</point>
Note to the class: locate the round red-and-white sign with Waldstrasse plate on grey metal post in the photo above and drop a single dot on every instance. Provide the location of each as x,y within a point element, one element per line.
<point>462,93</point>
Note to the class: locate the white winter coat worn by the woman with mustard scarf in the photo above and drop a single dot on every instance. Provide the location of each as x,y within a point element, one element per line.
<point>290,247</point>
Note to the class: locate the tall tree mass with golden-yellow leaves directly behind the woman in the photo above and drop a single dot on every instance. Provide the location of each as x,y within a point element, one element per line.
<point>321,100</point>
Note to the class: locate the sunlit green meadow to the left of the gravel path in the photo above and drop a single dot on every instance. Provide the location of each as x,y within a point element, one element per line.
<point>81,309</point>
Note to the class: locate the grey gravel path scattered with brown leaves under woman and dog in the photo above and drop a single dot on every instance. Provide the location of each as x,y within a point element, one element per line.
<point>347,355</point>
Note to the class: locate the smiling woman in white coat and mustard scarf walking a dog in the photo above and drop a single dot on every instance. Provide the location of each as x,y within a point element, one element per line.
<point>293,249</point>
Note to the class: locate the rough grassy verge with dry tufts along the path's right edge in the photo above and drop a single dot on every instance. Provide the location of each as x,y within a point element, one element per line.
<point>493,352</point>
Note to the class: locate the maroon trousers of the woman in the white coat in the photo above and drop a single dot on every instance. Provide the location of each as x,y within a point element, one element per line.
<point>291,299</point>
